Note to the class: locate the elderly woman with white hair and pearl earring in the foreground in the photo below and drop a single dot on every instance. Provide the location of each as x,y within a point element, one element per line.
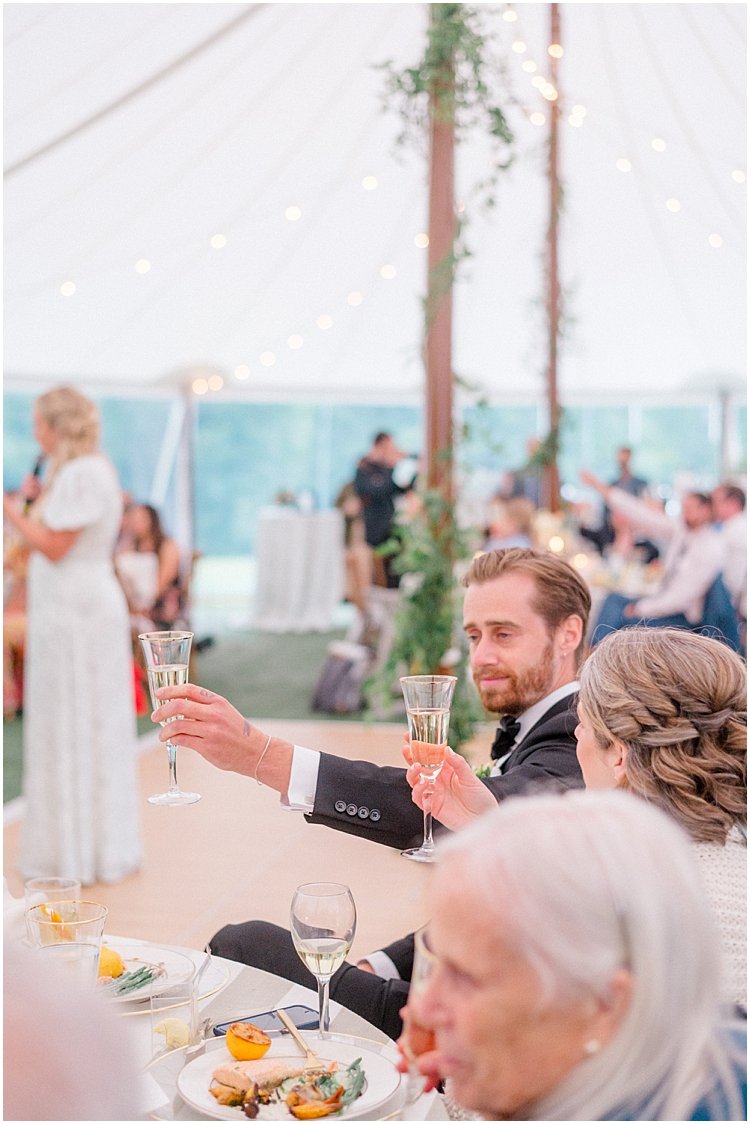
<point>576,969</point>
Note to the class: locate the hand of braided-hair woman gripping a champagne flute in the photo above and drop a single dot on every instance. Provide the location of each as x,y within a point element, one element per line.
<point>456,797</point>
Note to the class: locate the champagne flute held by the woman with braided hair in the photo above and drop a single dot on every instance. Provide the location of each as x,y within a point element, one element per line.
<point>429,711</point>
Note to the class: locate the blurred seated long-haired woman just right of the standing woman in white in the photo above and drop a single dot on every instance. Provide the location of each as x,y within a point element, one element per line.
<point>150,570</point>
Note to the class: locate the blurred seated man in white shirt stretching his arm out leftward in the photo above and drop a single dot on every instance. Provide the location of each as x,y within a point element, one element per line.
<point>693,563</point>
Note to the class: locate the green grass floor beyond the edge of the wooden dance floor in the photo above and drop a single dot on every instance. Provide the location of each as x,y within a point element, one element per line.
<point>265,675</point>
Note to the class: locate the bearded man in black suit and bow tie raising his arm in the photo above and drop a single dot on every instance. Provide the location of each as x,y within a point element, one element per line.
<point>526,615</point>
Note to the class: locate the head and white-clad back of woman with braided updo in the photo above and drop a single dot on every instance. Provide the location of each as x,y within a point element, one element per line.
<point>663,714</point>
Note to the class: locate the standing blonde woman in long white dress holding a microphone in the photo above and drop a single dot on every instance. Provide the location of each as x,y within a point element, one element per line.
<point>79,720</point>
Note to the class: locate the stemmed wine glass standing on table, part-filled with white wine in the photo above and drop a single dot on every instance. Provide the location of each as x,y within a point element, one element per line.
<point>323,922</point>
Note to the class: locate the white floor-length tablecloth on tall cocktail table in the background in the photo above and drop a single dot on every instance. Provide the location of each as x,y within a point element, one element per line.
<point>301,570</point>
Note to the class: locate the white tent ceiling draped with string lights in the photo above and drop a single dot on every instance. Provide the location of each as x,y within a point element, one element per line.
<point>286,110</point>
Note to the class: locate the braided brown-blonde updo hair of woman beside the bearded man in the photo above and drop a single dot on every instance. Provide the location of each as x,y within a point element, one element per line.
<point>677,701</point>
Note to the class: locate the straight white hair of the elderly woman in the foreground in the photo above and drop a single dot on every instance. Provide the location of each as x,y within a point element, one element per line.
<point>589,884</point>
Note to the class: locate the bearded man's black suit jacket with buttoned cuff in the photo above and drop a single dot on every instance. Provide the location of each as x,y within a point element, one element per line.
<point>375,802</point>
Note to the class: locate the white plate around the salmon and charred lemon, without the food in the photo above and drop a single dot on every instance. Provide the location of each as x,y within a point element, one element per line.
<point>381,1074</point>
